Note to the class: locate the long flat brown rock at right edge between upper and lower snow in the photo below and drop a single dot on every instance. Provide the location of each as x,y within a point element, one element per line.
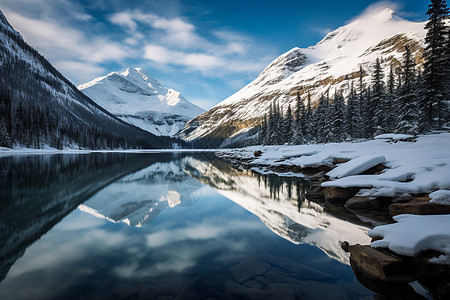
<point>419,208</point>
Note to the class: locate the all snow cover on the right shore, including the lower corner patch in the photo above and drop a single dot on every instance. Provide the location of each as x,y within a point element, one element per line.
<point>413,167</point>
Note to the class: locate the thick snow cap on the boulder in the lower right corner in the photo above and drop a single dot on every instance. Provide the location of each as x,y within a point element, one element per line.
<point>414,233</point>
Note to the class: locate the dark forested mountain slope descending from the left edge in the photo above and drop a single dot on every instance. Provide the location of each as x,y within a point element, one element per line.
<point>39,107</point>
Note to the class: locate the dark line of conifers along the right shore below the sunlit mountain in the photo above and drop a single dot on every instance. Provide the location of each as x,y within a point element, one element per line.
<point>406,100</point>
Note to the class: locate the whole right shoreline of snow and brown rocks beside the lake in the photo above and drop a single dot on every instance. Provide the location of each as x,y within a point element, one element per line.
<point>344,176</point>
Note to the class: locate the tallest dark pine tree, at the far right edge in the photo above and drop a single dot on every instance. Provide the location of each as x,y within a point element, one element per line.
<point>435,64</point>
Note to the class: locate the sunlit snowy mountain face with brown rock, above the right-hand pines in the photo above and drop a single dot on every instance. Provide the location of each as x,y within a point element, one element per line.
<point>328,66</point>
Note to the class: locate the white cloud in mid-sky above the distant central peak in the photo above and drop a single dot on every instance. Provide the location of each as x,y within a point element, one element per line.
<point>176,42</point>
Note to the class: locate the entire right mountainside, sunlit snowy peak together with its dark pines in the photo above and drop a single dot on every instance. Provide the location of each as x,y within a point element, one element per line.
<point>363,60</point>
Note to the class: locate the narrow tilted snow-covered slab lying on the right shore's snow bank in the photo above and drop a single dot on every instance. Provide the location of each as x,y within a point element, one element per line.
<point>356,166</point>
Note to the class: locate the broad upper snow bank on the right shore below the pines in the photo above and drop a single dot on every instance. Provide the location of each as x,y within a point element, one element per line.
<point>412,168</point>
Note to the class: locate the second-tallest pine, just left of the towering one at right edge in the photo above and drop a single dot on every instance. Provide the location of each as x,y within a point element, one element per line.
<point>408,123</point>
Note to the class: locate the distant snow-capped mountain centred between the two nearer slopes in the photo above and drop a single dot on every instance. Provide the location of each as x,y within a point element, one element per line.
<point>139,99</point>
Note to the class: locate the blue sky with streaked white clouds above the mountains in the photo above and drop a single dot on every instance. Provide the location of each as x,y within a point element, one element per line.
<point>207,50</point>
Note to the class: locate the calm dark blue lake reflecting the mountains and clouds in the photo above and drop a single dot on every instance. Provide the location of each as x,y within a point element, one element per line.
<point>166,226</point>
